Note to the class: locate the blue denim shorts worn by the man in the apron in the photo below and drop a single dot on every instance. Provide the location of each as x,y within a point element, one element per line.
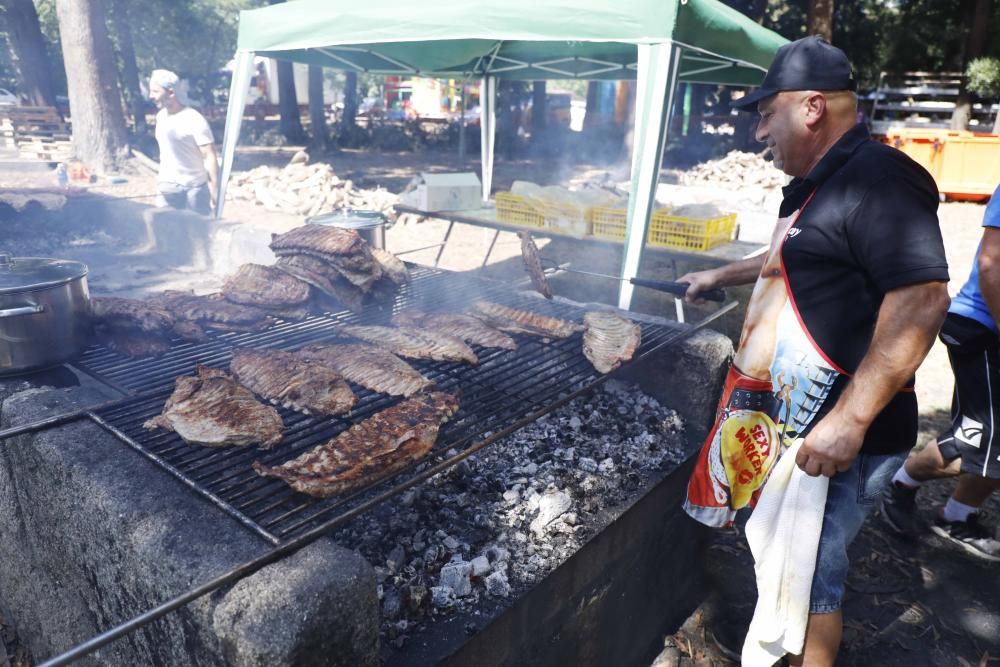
<point>850,499</point>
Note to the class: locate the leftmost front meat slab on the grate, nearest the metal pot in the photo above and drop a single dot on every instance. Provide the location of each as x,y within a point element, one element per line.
<point>211,409</point>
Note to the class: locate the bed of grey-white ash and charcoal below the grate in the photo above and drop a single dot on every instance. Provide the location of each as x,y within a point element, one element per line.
<point>471,538</point>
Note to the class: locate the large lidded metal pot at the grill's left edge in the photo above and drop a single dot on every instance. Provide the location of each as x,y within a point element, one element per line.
<point>44,312</point>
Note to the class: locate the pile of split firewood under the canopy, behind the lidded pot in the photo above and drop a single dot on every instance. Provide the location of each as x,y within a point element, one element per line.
<point>306,189</point>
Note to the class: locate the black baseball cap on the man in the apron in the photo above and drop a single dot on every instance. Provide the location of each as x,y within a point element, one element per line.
<point>810,63</point>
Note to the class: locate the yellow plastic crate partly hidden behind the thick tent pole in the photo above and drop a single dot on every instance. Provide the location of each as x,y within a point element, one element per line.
<point>666,230</point>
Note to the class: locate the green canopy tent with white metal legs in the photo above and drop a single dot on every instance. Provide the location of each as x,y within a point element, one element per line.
<point>656,42</point>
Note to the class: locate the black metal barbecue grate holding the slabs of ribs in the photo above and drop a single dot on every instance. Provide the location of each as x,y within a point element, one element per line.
<point>506,386</point>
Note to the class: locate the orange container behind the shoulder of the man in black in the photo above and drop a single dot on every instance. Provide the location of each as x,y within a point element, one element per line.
<point>965,165</point>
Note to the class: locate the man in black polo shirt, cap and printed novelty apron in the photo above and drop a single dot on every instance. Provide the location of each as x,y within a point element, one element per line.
<point>846,305</point>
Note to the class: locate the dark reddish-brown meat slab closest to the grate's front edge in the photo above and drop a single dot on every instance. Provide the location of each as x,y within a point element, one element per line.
<point>367,452</point>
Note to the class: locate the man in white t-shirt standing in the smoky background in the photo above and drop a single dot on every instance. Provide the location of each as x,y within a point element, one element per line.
<point>189,168</point>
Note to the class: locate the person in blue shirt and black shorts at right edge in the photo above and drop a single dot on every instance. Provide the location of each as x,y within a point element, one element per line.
<point>970,446</point>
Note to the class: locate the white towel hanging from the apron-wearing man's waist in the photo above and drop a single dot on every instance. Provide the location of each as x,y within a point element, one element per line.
<point>783,533</point>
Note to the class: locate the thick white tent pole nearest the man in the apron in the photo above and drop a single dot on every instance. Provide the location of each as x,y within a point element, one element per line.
<point>656,83</point>
